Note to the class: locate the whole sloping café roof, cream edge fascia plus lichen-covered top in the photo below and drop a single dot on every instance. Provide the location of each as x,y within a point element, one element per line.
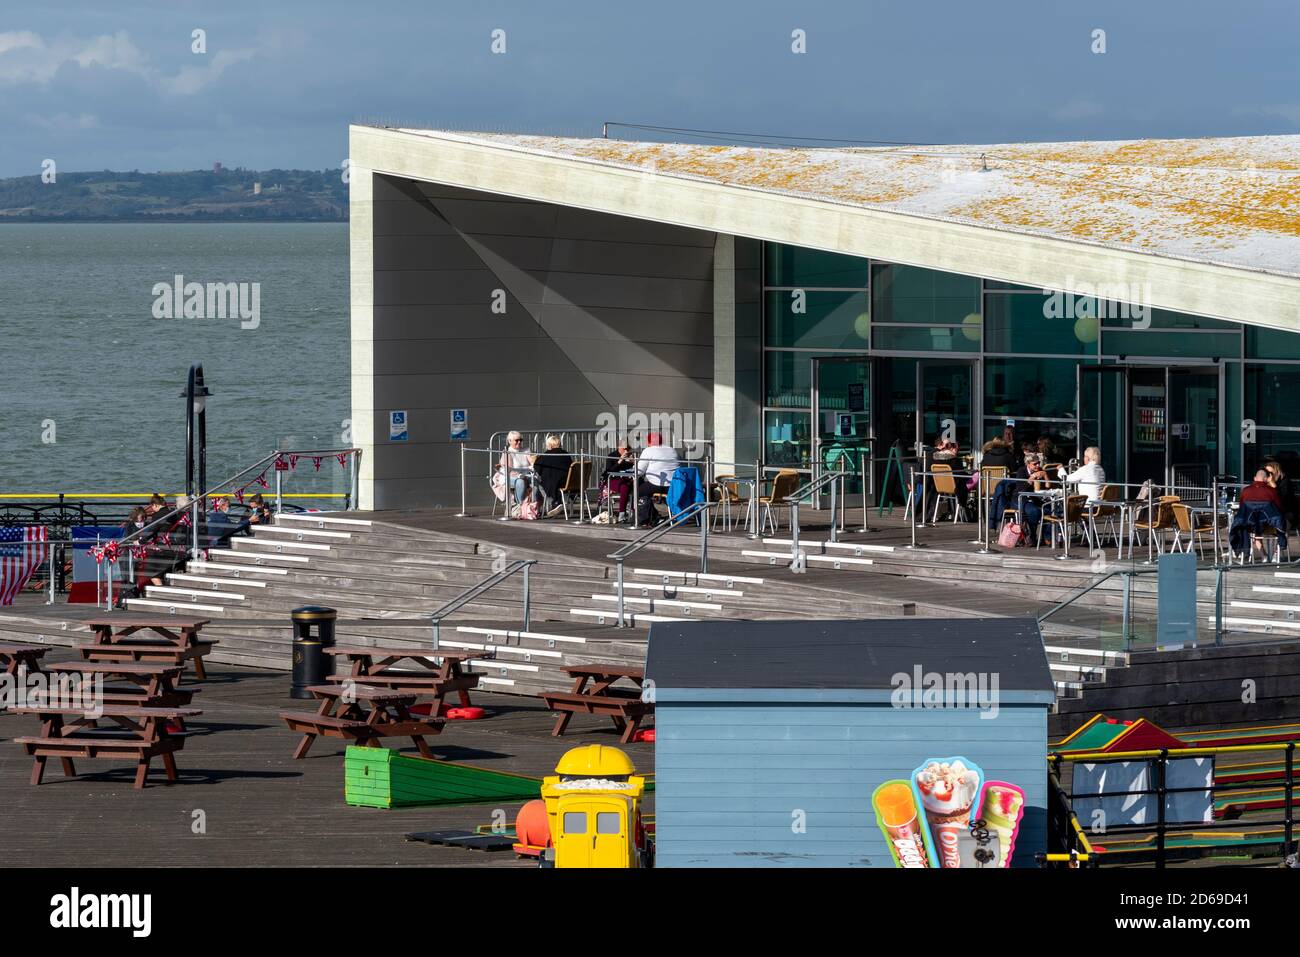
<point>1206,227</point>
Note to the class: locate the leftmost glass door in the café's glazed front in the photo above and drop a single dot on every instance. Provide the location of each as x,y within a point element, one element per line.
<point>842,415</point>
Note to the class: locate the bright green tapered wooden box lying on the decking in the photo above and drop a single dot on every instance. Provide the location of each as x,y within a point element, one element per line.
<point>383,778</point>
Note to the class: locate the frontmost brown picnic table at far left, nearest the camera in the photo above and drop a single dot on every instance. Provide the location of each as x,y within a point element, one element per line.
<point>141,735</point>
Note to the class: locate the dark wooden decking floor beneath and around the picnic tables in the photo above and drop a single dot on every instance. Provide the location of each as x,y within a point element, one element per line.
<point>262,808</point>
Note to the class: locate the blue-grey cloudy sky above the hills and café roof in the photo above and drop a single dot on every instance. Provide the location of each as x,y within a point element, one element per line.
<point>119,85</point>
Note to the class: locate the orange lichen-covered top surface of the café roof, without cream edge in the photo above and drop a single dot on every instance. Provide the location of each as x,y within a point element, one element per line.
<point>1233,201</point>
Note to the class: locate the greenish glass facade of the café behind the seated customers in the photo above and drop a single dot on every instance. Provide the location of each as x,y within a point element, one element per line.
<point>1188,391</point>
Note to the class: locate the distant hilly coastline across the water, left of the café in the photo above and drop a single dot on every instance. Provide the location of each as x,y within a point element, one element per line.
<point>216,196</point>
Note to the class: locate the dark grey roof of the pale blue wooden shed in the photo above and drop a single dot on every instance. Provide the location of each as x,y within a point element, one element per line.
<point>844,655</point>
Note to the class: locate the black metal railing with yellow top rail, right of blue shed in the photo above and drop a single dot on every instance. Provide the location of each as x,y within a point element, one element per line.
<point>1162,790</point>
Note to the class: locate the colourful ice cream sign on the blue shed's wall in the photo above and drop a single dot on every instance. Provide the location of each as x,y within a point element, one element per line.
<point>948,816</point>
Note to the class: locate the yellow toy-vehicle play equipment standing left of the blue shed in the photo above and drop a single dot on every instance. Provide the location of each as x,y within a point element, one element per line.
<point>593,812</point>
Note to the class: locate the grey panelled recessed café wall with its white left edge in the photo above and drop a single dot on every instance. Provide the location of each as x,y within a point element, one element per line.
<point>600,311</point>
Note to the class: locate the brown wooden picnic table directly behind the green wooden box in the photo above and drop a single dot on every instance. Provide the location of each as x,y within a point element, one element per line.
<point>344,714</point>
